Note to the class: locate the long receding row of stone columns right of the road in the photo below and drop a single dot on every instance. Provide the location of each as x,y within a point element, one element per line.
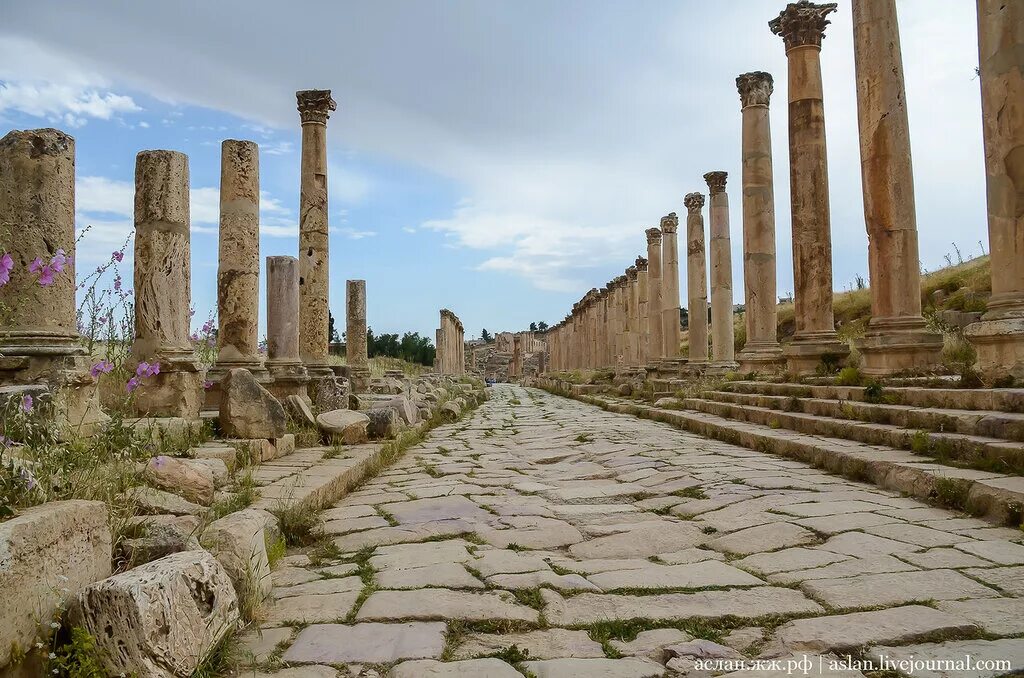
<point>634,320</point>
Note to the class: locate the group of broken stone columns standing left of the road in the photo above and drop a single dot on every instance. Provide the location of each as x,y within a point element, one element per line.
<point>39,340</point>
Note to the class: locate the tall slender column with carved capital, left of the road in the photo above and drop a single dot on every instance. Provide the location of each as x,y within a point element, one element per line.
<point>315,109</point>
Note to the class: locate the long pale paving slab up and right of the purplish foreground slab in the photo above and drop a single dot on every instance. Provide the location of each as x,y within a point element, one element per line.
<point>446,605</point>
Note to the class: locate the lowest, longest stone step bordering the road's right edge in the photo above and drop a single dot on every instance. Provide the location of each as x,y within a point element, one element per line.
<point>996,497</point>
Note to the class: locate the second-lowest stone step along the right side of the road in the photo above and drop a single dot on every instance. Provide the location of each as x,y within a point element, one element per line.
<point>957,449</point>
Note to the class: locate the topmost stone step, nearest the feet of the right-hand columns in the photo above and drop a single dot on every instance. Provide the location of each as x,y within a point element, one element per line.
<point>1001,400</point>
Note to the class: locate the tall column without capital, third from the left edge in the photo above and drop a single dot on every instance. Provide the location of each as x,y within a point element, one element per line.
<point>238,270</point>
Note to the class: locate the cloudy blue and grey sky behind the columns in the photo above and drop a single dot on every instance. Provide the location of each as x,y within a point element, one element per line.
<point>498,159</point>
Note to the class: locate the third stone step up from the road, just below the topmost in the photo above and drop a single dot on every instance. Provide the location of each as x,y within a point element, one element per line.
<point>988,423</point>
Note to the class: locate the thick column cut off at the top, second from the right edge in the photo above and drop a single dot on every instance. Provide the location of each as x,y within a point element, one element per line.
<point>897,337</point>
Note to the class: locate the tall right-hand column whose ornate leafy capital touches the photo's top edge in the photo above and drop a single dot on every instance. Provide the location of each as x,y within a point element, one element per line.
<point>802,26</point>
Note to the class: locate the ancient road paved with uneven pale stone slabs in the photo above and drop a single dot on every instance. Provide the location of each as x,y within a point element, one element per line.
<point>603,545</point>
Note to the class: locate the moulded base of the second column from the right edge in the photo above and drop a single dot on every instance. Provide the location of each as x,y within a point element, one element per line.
<point>899,345</point>
